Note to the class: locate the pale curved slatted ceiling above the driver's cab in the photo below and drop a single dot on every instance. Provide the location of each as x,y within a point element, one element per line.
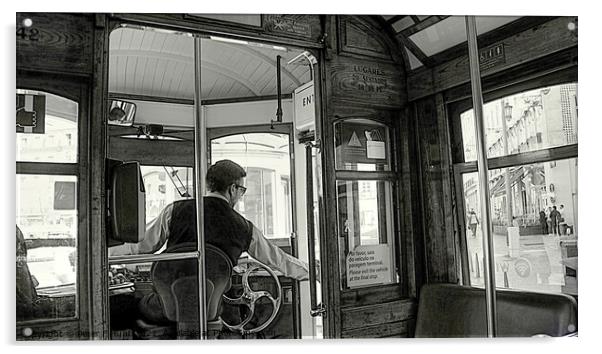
<point>153,63</point>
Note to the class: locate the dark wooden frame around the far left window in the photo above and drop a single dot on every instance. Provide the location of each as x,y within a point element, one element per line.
<point>75,89</point>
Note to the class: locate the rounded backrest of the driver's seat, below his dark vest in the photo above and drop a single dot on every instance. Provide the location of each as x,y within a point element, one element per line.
<point>176,282</point>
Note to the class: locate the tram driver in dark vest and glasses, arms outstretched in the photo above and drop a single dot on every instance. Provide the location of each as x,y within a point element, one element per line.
<point>224,228</point>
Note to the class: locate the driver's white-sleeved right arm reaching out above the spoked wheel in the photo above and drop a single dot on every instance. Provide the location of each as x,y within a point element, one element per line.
<point>272,256</point>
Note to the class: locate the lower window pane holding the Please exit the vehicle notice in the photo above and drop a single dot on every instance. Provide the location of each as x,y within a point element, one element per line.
<point>365,227</point>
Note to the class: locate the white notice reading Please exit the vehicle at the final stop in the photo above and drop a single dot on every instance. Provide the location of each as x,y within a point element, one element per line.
<point>369,265</point>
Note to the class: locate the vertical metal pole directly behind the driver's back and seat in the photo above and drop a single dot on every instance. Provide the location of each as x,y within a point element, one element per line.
<point>200,164</point>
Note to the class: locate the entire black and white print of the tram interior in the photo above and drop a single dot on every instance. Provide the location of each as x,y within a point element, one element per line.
<point>318,176</point>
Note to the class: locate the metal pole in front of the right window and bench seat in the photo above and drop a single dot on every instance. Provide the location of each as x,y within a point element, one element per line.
<point>477,102</point>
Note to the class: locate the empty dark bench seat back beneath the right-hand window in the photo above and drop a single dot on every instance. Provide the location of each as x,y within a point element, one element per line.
<point>449,310</point>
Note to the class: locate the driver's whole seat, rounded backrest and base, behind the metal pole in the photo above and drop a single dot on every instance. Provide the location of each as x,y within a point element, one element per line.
<point>176,282</point>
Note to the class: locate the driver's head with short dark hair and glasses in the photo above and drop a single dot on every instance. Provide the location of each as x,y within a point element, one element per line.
<point>226,178</point>
